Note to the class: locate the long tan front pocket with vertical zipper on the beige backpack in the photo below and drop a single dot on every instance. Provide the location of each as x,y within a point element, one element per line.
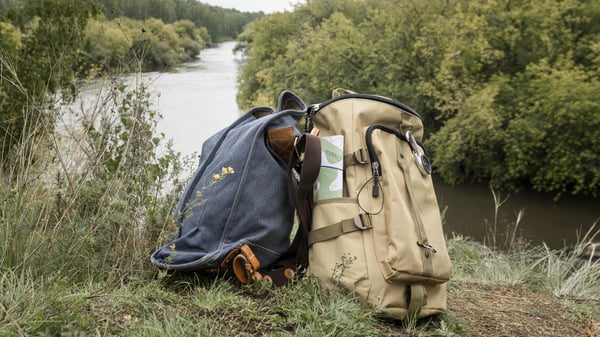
<point>408,237</point>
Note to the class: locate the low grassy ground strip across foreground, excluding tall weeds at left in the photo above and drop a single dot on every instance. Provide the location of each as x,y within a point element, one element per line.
<point>528,293</point>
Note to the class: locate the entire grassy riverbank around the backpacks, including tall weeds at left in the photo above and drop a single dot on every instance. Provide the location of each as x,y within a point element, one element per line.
<point>74,261</point>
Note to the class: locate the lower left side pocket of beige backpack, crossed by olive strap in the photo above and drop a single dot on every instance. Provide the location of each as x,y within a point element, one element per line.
<point>337,251</point>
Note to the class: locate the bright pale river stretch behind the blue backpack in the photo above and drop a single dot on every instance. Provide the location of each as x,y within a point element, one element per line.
<point>198,98</point>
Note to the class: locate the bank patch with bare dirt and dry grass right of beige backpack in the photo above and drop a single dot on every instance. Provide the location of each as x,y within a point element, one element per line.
<point>525,291</point>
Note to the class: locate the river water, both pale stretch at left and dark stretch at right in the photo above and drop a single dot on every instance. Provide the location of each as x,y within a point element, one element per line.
<point>198,99</point>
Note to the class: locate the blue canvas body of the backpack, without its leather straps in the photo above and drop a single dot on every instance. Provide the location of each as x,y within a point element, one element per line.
<point>239,194</point>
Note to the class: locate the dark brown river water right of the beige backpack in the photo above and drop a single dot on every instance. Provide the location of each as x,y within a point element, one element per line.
<point>470,211</point>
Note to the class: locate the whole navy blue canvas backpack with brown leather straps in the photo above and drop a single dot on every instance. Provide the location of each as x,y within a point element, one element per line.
<point>237,211</point>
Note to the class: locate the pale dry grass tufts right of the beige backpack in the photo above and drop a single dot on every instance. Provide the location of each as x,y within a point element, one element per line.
<point>510,260</point>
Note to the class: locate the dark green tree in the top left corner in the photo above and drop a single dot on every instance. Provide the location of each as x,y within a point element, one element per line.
<point>45,62</point>
